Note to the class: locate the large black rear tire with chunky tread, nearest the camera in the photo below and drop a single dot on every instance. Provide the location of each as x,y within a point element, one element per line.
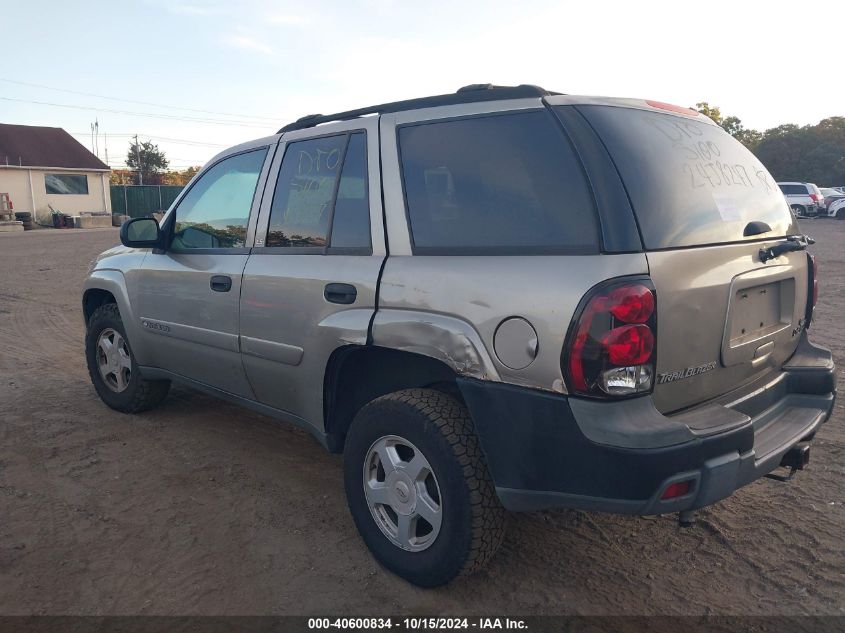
<point>472,521</point>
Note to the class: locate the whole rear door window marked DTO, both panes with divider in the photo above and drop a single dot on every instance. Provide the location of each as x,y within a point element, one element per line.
<point>310,207</point>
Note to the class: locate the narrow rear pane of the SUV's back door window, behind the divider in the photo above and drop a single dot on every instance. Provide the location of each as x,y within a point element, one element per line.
<point>351,224</point>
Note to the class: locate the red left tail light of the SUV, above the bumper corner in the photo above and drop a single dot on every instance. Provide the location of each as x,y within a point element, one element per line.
<point>610,349</point>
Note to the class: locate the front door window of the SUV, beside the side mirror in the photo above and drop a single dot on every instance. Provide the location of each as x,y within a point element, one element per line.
<point>215,212</point>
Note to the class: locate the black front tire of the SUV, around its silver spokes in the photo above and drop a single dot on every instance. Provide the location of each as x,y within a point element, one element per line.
<point>136,394</point>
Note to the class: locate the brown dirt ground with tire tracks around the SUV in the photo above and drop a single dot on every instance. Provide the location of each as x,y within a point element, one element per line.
<point>201,507</point>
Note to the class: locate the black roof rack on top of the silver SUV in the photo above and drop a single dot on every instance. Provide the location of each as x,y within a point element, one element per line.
<point>468,94</point>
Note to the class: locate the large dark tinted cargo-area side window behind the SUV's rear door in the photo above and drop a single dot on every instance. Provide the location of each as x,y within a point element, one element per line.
<point>504,183</point>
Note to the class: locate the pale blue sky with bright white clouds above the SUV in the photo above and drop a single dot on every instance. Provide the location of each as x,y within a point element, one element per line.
<point>196,76</point>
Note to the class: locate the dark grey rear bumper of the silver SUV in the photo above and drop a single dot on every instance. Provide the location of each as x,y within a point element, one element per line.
<point>546,450</point>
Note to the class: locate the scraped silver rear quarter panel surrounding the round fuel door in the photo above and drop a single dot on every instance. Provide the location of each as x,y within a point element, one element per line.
<point>478,293</point>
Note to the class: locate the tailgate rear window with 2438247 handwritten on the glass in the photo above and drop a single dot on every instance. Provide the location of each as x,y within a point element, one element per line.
<point>690,183</point>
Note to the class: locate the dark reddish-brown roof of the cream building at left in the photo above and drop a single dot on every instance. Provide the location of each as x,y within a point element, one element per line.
<point>35,146</point>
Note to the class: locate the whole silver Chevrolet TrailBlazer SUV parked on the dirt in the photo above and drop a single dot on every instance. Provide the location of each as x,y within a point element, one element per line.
<point>497,299</point>
